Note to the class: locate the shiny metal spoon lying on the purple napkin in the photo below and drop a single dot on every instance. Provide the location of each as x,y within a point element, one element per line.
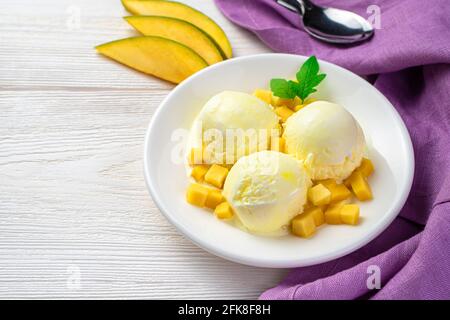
<point>330,24</point>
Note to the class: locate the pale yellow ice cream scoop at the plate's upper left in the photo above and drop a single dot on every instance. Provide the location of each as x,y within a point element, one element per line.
<point>233,124</point>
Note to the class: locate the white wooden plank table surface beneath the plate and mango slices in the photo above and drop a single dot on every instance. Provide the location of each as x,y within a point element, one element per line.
<point>76,220</point>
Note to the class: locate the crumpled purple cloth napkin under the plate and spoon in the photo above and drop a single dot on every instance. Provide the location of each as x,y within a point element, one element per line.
<point>408,60</point>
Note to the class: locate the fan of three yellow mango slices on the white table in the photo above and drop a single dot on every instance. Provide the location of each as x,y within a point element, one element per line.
<point>177,40</point>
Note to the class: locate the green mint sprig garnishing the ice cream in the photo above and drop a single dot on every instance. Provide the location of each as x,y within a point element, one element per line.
<point>308,78</point>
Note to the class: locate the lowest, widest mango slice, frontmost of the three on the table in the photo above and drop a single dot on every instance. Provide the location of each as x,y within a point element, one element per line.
<point>163,58</point>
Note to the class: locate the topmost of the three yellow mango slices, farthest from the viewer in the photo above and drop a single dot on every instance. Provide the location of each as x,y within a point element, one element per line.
<point>181,11</point>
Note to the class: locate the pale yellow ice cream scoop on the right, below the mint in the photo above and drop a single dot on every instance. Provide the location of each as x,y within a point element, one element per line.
<point>327,138</point>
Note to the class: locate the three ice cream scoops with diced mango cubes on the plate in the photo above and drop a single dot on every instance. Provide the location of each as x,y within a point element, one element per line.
<point>273,166</point>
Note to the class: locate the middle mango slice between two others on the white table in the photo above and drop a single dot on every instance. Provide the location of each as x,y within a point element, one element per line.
<point>179,31</point>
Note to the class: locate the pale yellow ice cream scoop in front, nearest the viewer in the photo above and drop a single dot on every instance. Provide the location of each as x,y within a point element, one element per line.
<point>266,190</point>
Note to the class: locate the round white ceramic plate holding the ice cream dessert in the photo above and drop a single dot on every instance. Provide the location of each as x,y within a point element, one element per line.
<point>390,149</point>
